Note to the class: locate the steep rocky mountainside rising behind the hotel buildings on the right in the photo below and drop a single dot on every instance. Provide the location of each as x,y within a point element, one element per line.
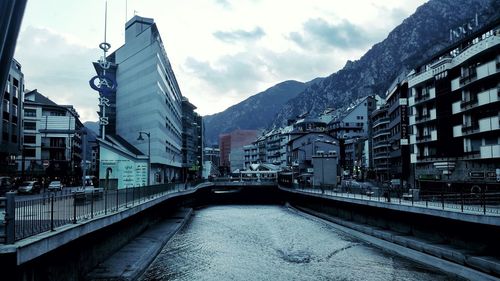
<point>418,37</point>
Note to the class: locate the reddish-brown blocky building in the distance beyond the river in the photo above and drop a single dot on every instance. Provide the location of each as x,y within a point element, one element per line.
<point>233,143</point>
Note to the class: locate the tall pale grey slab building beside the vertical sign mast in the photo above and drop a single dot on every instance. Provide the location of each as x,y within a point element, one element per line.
<point>148,99</point>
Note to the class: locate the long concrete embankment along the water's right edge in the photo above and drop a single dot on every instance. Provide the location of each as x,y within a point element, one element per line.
<point>453,261</point>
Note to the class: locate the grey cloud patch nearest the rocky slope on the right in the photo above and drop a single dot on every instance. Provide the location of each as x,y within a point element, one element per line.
<point>318,34</point>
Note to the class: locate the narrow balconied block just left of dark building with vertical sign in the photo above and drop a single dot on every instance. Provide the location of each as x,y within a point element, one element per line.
<point>380,143</point>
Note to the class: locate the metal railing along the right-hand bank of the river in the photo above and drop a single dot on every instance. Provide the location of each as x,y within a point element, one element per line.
<point>485,203</point>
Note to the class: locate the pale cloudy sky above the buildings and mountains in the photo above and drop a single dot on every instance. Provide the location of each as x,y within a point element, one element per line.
<point>222,51</point>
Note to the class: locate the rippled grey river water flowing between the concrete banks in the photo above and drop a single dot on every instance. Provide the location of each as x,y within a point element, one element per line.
<point>274,243</point>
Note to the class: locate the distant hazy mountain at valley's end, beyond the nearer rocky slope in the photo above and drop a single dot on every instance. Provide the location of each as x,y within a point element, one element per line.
<point>256,112</point>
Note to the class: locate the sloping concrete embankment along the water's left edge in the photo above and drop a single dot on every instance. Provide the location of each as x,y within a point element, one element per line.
<point>132,260</point>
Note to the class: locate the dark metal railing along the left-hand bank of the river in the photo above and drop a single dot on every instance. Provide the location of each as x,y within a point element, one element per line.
<point>26,217</point>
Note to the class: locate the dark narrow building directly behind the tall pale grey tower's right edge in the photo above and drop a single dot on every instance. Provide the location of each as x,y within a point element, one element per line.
<point>192,144</point>
